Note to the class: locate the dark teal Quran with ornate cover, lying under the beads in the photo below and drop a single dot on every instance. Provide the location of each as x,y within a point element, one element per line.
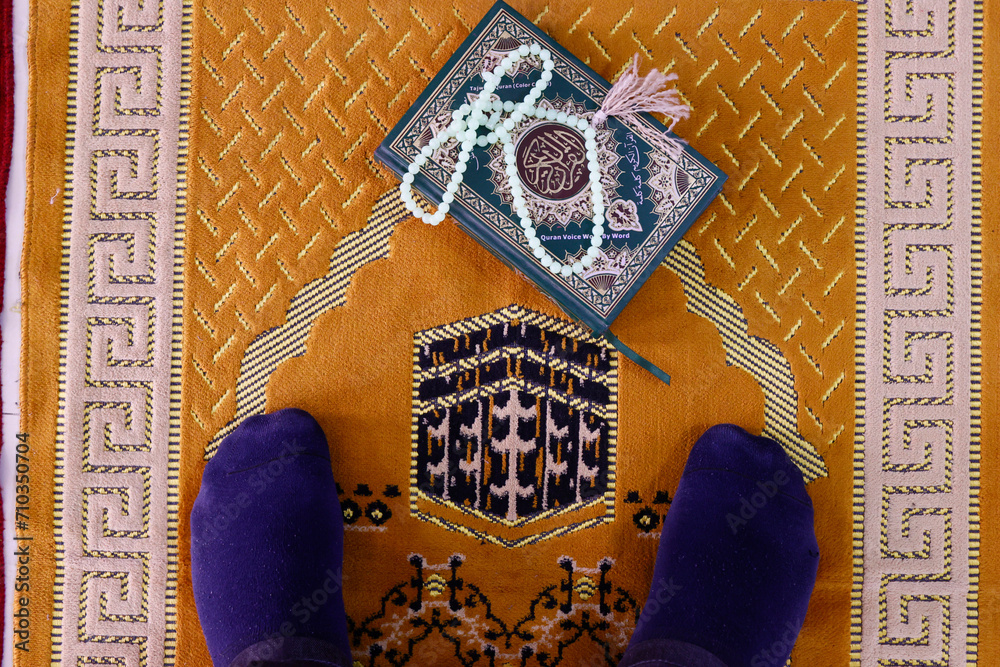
<point>651,197</point>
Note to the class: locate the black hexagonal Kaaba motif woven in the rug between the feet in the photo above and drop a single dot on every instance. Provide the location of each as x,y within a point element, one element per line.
<point>514,421</point>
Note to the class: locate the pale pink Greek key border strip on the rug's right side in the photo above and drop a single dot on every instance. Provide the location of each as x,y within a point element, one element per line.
<point>916,464</point>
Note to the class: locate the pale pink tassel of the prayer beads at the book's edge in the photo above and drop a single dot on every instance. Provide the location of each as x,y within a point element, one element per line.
<point>632,94</point>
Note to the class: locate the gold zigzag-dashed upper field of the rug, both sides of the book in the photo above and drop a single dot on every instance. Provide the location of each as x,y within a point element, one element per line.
<point>292,103</point>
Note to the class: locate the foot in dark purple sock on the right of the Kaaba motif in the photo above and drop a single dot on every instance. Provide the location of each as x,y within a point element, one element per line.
<point>737,559</point>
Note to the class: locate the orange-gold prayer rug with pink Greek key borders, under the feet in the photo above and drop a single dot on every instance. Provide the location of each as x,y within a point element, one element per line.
<point>209,237</point>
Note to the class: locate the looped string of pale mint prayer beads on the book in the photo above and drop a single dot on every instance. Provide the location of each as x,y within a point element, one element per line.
<point>486,122</point>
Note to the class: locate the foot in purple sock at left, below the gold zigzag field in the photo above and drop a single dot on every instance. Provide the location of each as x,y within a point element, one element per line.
<point>267,538</point>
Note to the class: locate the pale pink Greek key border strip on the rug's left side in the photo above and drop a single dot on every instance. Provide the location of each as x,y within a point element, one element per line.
<point>118,427</point>
